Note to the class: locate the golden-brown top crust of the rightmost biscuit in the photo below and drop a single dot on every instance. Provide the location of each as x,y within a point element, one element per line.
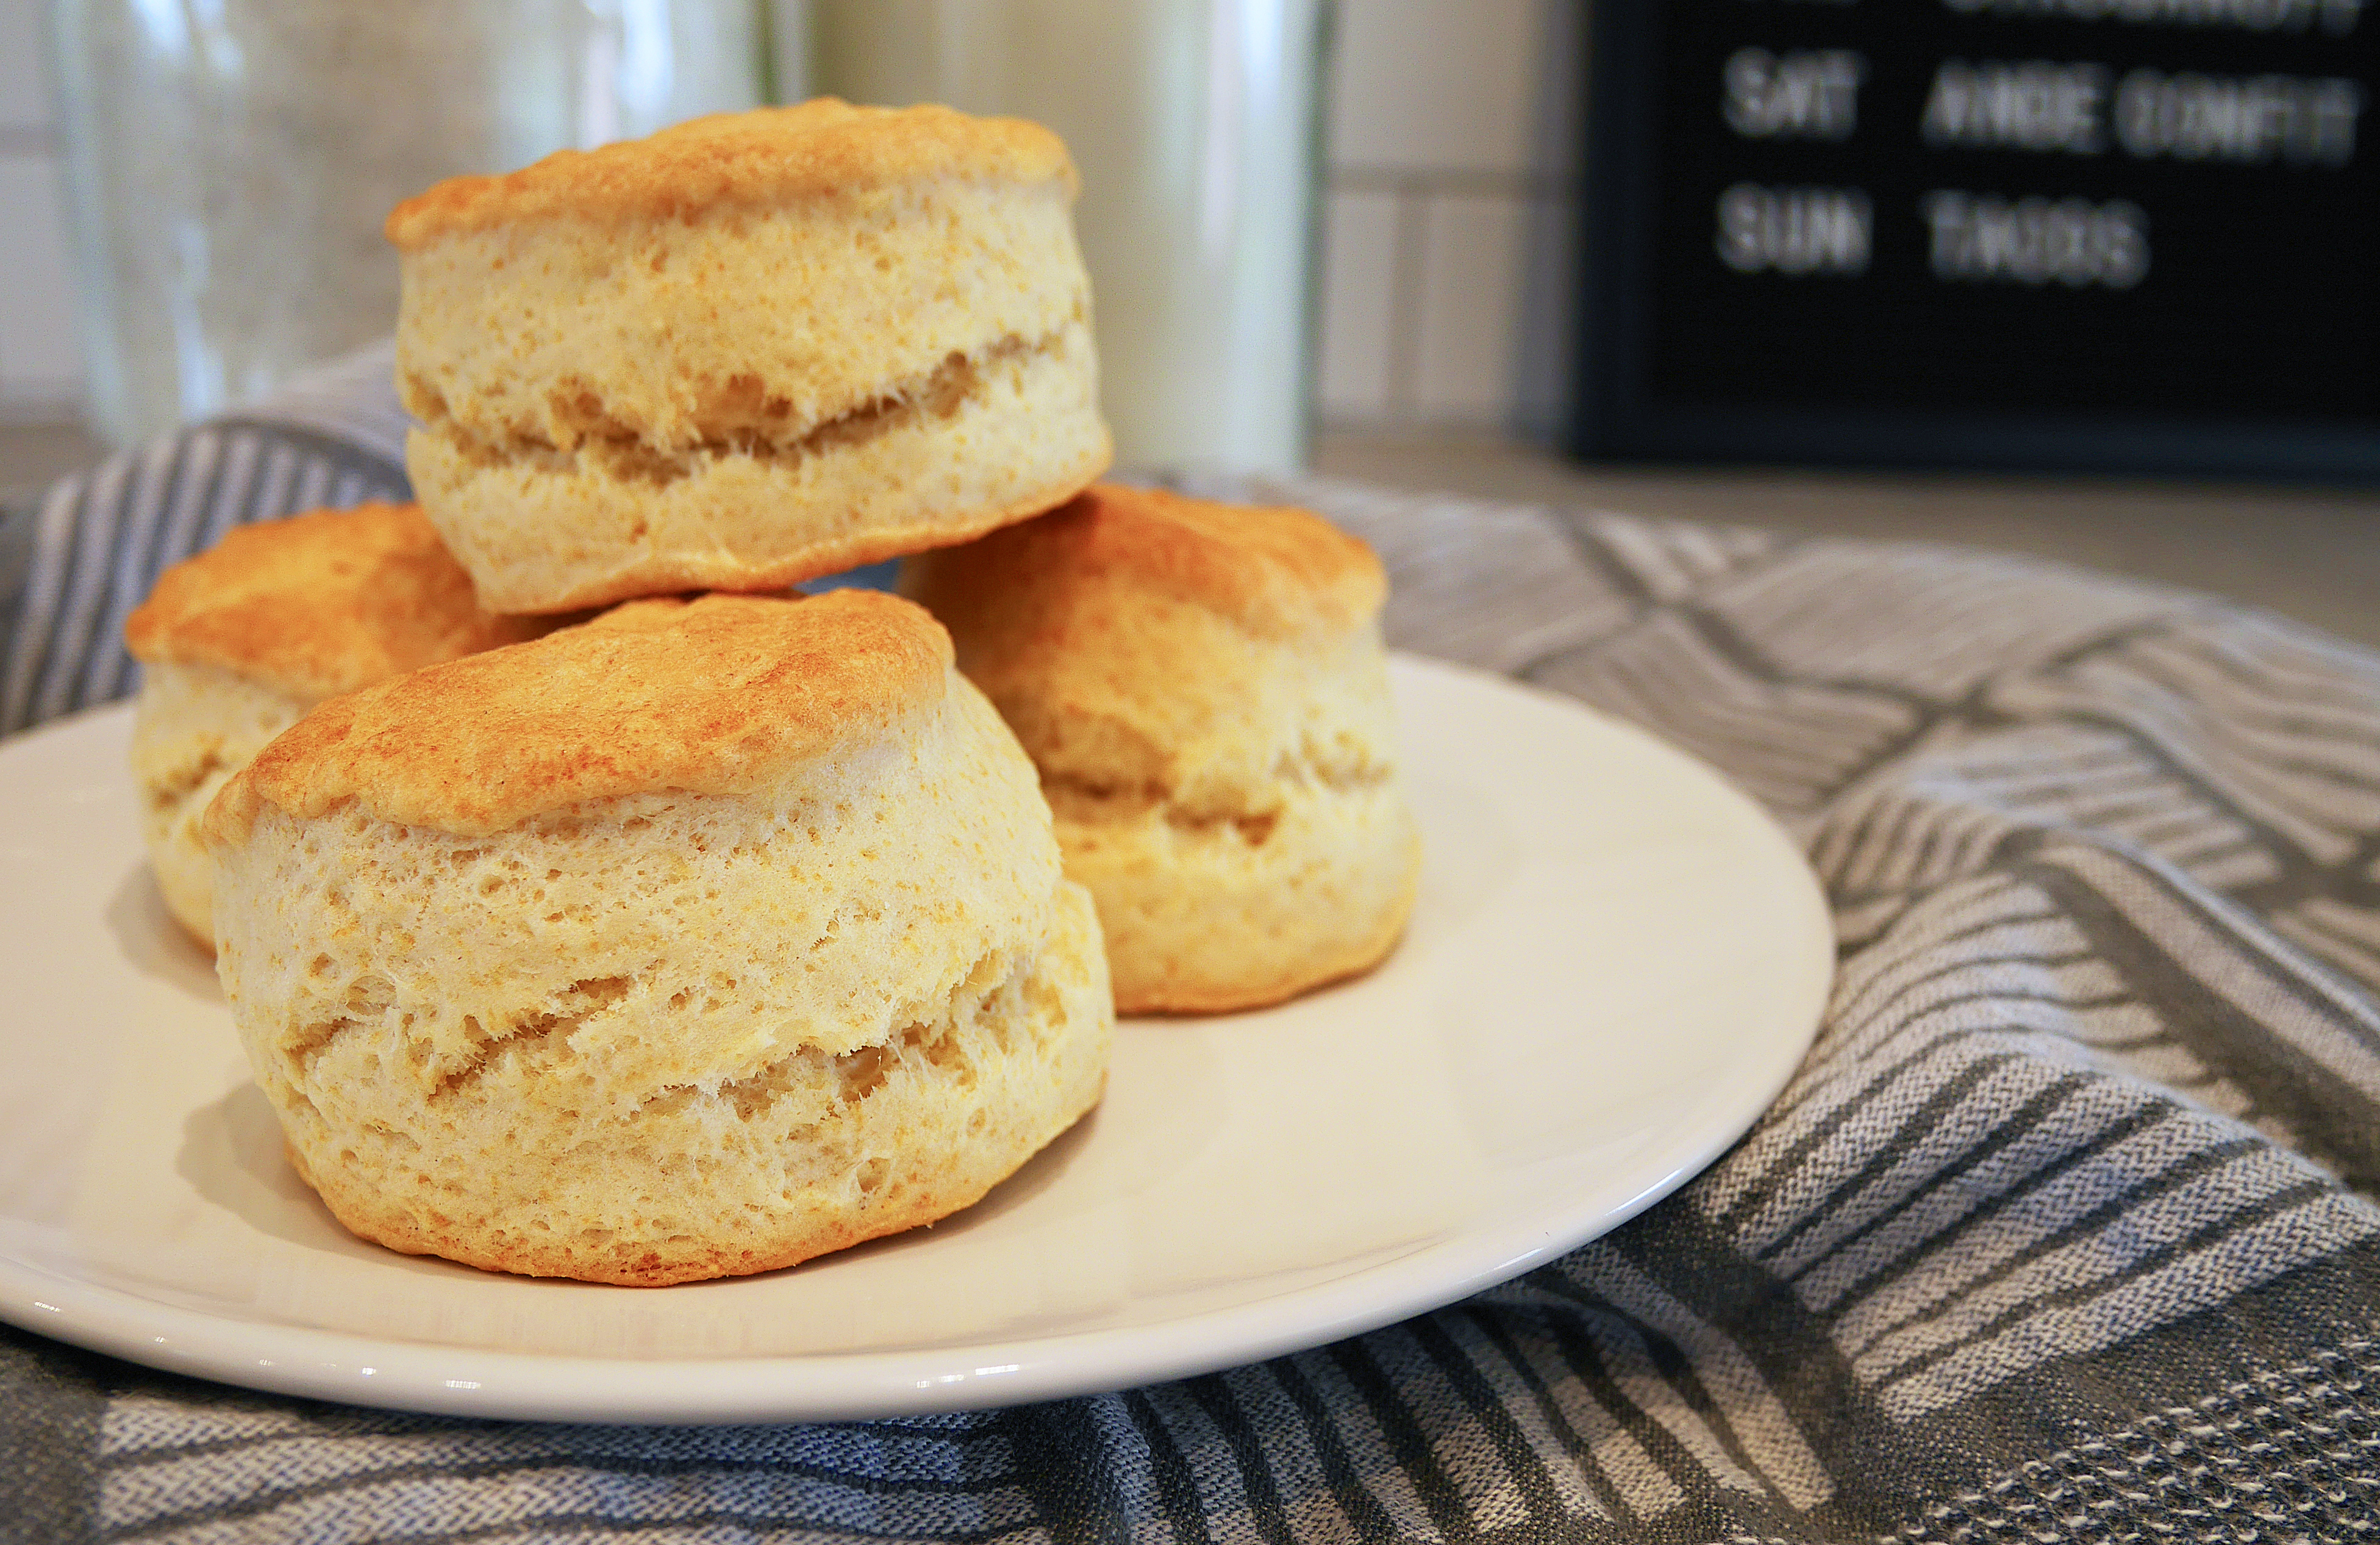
<point>1274,570</point>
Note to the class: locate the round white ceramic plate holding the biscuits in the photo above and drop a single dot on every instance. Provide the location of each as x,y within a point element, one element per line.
<point>1615,965</point>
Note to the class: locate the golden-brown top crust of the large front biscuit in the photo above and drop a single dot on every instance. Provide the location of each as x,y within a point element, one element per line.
<point>713,696</point>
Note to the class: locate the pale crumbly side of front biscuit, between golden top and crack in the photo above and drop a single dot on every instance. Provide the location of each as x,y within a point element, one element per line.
<point>825,915</point>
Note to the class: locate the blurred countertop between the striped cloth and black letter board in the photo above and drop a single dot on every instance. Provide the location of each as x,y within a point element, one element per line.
<point>2307,553</point>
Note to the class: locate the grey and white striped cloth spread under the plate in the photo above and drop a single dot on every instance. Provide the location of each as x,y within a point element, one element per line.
<point>2060,1234</point>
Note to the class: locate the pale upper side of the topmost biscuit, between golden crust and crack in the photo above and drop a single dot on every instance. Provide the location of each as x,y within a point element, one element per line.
<point>768,334</point>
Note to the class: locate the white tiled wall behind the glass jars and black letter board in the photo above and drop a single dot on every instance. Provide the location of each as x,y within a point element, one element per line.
<point>1439,144</point>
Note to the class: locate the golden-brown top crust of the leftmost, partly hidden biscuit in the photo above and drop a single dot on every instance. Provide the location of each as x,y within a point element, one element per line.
<point>320,603</point>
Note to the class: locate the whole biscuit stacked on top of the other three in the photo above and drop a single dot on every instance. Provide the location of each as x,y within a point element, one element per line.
<point>749,351</point>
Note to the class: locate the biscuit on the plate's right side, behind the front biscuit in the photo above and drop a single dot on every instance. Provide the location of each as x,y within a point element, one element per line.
<point>1205,694</point>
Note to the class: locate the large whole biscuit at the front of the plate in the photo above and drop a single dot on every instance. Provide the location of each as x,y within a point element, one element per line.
<point>687,944</point>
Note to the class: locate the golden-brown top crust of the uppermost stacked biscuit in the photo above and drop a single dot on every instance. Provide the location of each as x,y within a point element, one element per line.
<point>741,161</point>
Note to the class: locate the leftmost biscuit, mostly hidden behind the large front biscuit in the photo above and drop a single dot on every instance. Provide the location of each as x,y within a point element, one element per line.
<point>251,634</point>
